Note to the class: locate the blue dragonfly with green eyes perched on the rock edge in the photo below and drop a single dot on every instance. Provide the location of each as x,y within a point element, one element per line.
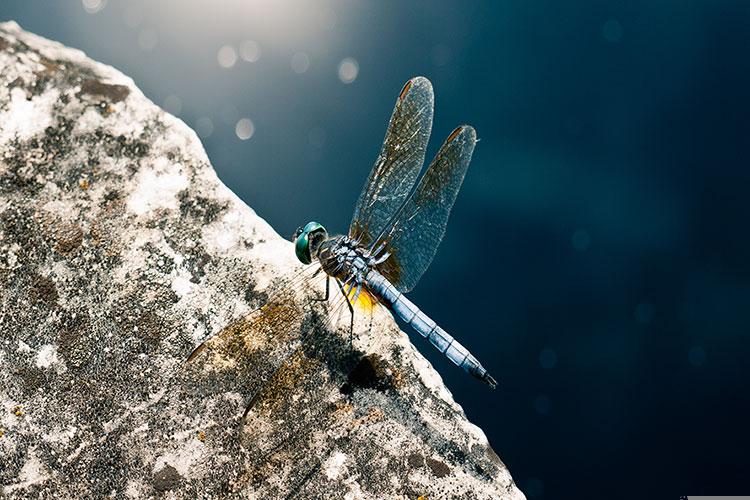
<point>398,222</point>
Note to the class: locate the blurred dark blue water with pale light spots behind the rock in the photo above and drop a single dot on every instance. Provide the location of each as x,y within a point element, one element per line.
<point>597,257</point>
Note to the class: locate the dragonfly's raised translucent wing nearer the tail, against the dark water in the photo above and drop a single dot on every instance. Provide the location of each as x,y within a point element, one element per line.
<point>417,229</point>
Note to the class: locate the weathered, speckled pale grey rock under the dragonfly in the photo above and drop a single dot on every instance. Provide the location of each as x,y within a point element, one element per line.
<point>120,251</point>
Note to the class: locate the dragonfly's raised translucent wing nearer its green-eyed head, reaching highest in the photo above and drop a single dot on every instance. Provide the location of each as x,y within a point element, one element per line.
<point>397,167</point>
